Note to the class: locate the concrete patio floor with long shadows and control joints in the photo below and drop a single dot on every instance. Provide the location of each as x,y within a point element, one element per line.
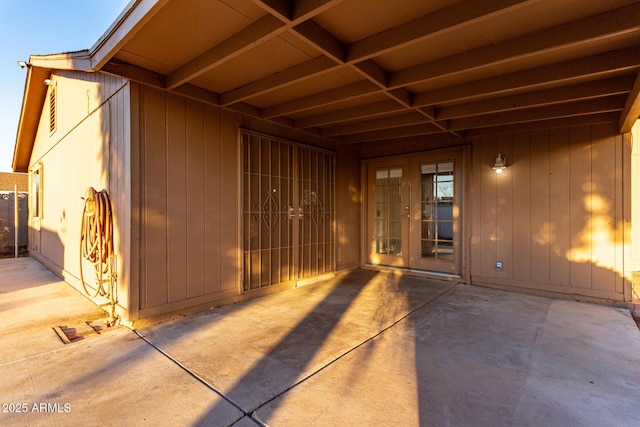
<point>364,348</point>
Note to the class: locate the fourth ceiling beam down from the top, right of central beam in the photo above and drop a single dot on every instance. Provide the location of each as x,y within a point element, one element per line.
<point>579,92</point>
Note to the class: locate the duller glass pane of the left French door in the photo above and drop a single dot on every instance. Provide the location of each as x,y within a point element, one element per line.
<point>388,214</point>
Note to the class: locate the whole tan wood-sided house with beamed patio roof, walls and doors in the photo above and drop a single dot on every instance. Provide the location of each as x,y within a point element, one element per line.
<point>249,145</point>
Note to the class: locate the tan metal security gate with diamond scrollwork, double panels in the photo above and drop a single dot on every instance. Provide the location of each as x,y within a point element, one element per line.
<point>287,211</point>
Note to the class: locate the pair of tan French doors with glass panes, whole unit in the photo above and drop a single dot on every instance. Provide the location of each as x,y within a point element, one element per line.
<point>414,212</point>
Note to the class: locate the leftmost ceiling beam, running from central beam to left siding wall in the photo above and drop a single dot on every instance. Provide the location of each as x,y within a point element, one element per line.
<point>258,32</point>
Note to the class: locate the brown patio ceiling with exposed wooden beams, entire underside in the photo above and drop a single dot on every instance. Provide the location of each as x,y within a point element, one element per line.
<point>357,71</point>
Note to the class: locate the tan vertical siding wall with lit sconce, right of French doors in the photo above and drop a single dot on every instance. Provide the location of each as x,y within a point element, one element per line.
<point>558,218</point>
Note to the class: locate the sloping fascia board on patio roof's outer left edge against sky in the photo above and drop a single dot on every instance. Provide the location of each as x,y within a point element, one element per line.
<point>130,21</point>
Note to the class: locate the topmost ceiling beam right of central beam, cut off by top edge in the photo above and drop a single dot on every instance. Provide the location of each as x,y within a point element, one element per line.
<point>433,24</point>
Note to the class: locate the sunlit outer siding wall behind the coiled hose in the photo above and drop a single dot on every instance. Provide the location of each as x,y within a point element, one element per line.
<point>89,148</point>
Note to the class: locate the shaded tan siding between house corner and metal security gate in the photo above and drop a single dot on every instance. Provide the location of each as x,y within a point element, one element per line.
<point>186,220</point>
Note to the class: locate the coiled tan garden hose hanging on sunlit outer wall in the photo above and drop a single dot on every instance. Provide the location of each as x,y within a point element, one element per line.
<point>96,245</point>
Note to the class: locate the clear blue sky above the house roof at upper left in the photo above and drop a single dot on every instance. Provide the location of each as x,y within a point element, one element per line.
<point>41,27</point>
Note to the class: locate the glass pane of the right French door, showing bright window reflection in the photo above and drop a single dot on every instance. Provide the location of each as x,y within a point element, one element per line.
<point>437,193</point>
